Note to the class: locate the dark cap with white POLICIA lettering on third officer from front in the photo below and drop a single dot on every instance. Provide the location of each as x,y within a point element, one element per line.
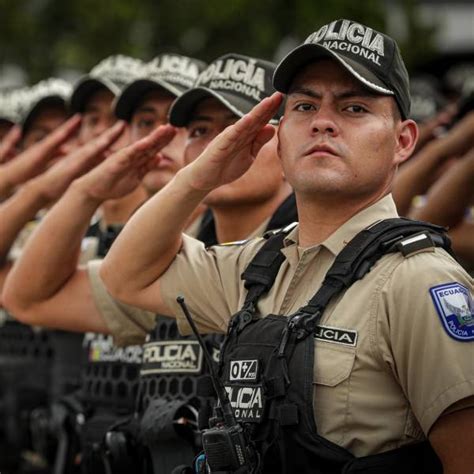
<point>171,72</point>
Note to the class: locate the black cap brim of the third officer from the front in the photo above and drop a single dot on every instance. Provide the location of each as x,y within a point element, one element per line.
<point>133,94</point>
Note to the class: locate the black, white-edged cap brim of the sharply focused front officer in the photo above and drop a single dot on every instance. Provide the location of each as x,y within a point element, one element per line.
<point>307,53</point>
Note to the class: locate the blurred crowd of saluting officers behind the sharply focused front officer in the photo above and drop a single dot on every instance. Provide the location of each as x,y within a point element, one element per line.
<point>75,164</point>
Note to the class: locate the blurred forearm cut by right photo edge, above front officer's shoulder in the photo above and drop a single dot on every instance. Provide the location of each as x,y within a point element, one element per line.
<point>449,197</point>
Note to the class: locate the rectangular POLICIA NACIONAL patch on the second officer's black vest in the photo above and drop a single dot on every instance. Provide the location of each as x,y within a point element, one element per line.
<point>171,357</point>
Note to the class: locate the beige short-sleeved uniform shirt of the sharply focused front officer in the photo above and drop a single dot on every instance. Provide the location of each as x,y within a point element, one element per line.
<point>403,370</point>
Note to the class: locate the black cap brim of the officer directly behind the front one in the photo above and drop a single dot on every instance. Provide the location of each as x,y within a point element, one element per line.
<point>182,109</point>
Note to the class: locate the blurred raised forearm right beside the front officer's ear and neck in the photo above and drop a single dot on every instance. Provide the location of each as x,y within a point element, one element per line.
<point>415,177</point>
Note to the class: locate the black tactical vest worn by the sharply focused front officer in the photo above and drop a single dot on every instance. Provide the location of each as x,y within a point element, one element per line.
<point>267,363</point>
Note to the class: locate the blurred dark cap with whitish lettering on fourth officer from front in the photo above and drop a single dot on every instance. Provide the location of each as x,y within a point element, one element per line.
<point>113,73</point>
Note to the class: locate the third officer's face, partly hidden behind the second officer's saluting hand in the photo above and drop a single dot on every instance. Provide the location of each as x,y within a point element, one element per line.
<point>150,114</point>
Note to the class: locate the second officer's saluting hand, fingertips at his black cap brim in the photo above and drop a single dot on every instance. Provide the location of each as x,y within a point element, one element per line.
<point>121,172</point>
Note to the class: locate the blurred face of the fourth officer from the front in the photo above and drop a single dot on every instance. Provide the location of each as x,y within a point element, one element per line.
<point>97,116</point>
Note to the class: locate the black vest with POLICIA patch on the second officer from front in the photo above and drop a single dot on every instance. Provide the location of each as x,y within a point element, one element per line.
<point>172,396</point>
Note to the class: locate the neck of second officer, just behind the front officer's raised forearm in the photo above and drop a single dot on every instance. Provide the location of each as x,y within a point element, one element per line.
<point>240,220</point>
